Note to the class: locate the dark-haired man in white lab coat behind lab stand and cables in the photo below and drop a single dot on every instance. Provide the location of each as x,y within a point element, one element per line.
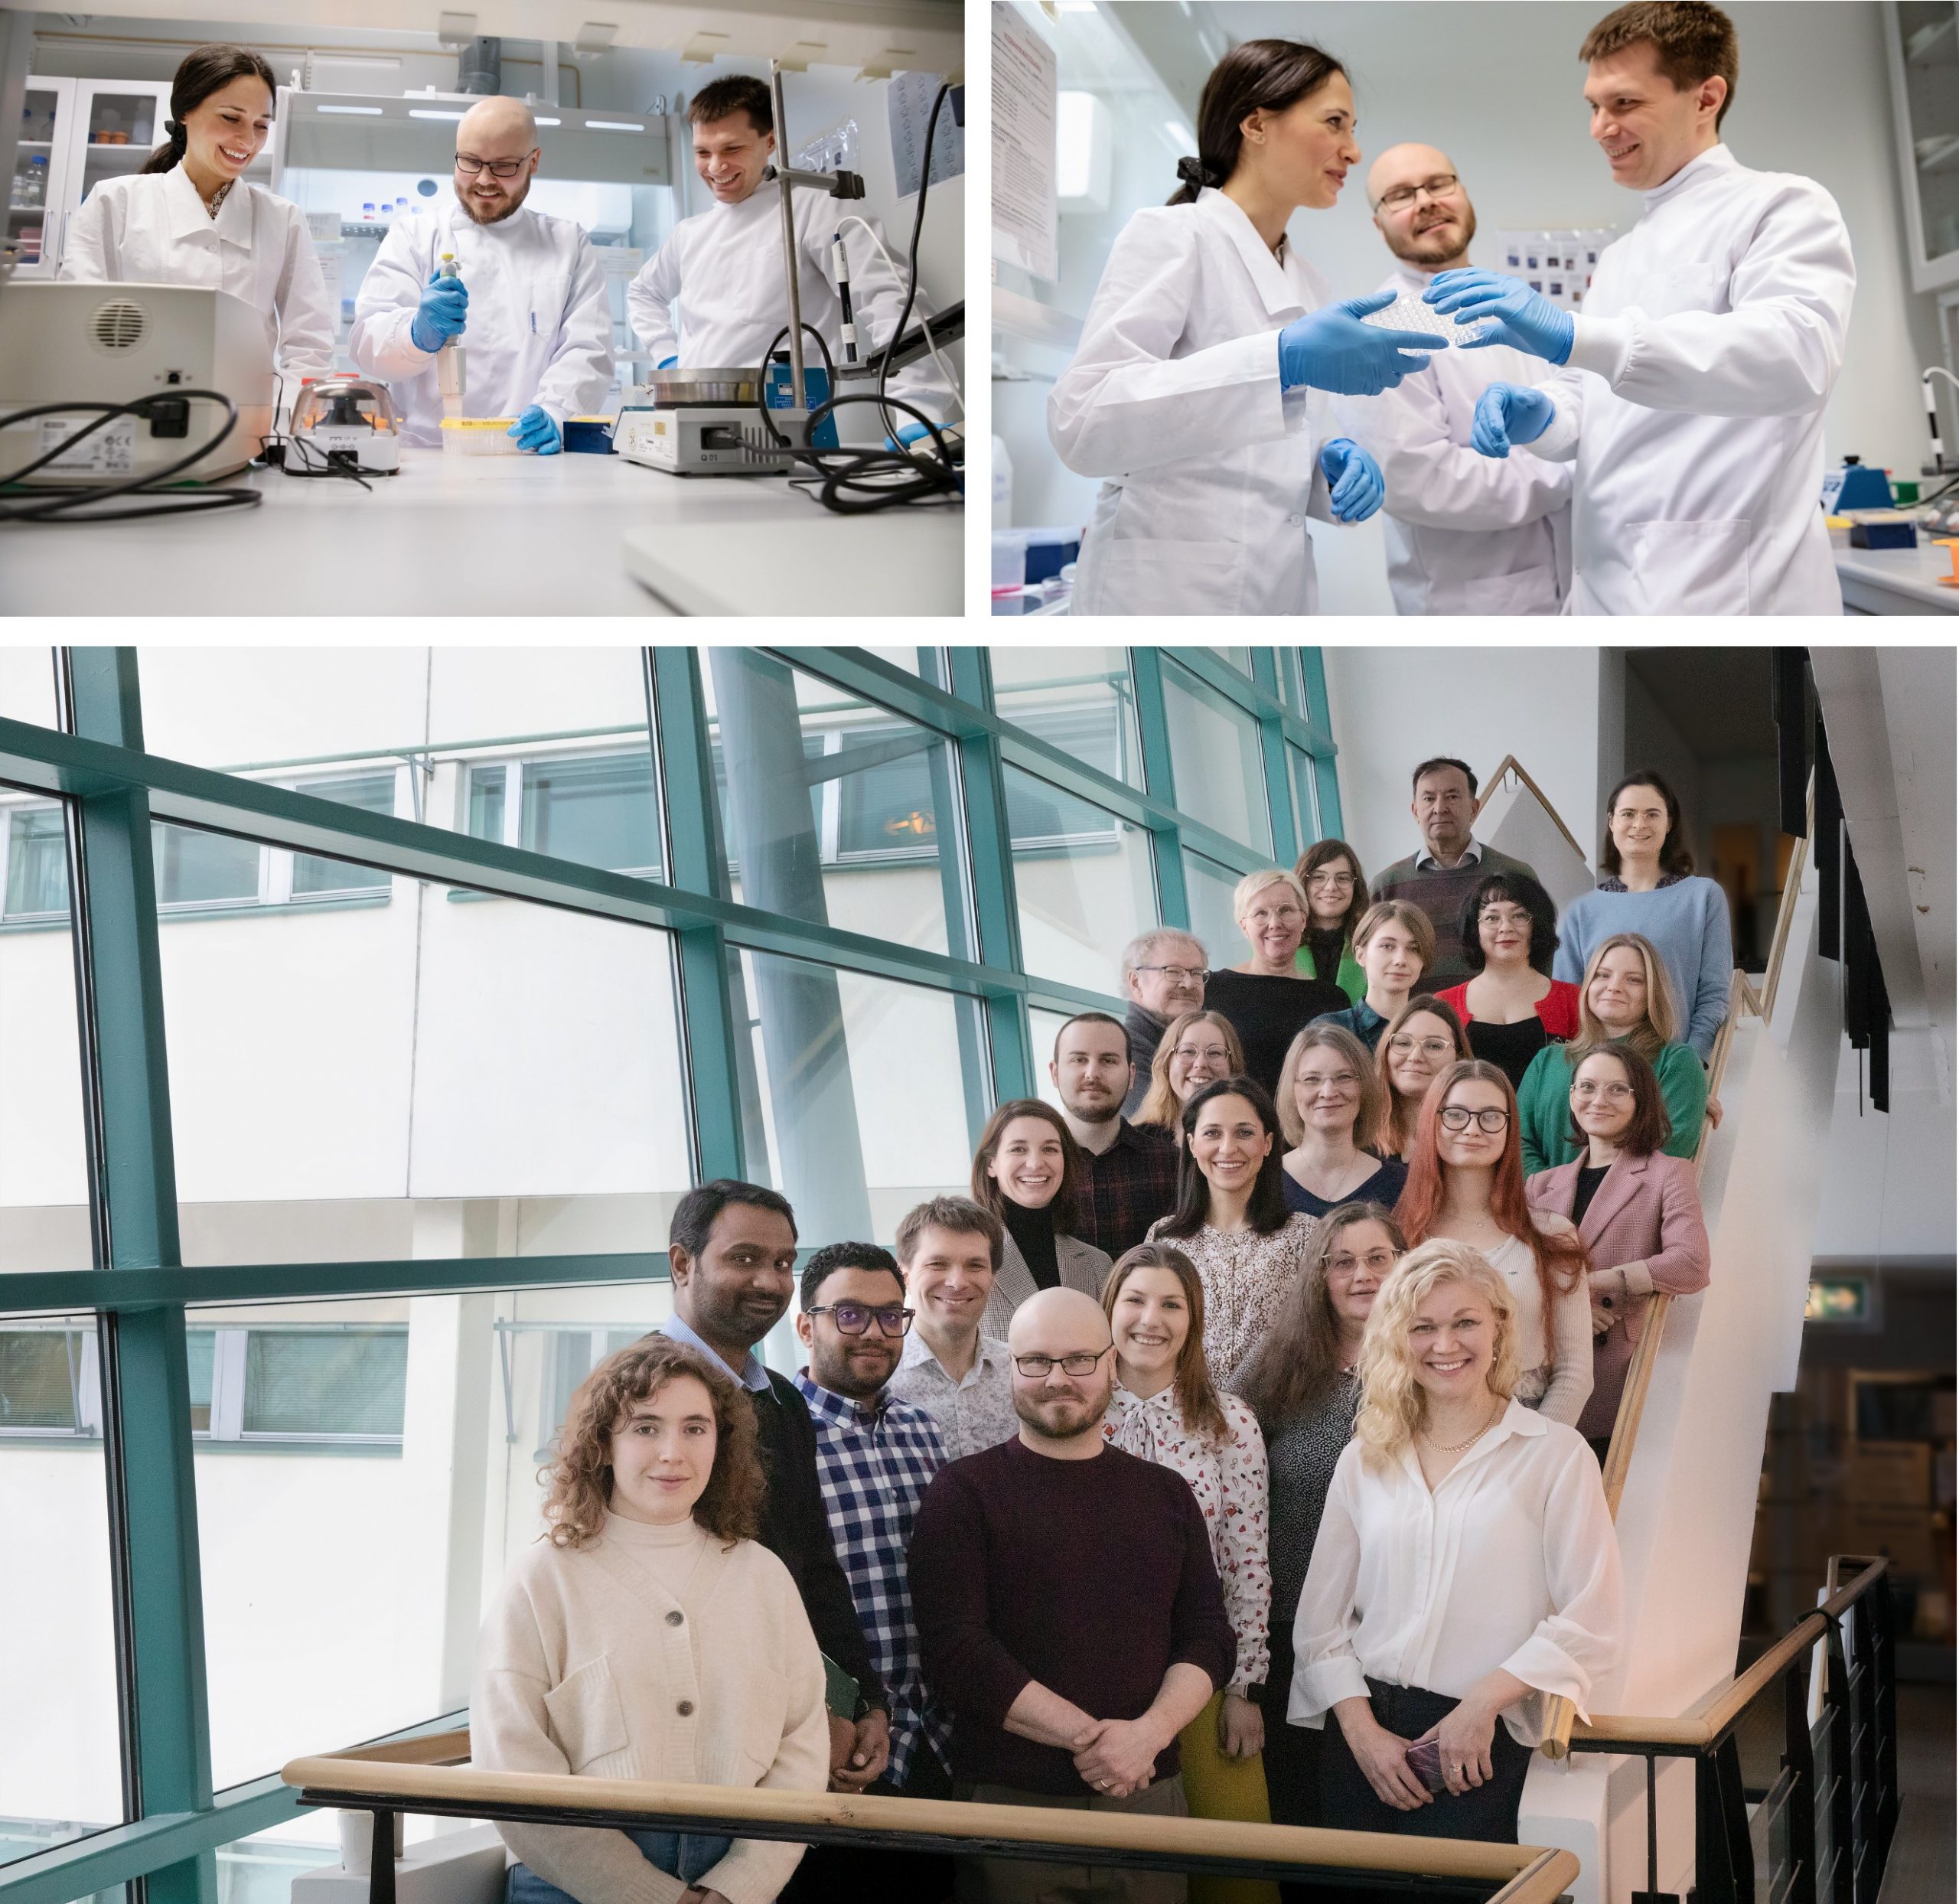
<point>716,293</point>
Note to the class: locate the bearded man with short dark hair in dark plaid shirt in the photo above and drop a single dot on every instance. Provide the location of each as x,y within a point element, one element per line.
<point>1129,1172</point>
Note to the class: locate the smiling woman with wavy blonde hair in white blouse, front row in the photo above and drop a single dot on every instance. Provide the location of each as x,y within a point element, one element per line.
<point>1521,1601</point>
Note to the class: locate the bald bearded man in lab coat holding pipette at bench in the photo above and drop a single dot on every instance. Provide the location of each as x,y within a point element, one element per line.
<point>528,305</point>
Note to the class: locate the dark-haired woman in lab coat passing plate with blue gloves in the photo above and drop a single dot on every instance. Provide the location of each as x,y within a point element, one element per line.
<point>1194,389</point>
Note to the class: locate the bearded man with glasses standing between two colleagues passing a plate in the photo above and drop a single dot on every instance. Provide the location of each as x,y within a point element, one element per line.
<point>1466,534</point>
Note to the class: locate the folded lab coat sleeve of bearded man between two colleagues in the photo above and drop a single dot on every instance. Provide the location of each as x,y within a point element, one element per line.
<point>1437,483</point>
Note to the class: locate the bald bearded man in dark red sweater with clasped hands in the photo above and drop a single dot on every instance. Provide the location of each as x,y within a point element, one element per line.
<point>1069,1609</point>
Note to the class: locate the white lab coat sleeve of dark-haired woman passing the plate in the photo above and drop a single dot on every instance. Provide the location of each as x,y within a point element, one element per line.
<point>1127,405</point>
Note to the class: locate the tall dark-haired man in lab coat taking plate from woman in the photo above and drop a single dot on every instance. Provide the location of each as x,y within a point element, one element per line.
<point>1696,379</point>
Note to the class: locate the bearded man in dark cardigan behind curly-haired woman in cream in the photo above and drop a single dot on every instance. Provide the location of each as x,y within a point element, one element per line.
<point>732,1251</point>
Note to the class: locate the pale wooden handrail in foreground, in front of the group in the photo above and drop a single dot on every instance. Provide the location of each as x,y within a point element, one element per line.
<point>369,1780</point>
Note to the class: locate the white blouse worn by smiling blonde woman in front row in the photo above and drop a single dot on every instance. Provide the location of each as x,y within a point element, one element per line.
<point>1511,1564</point>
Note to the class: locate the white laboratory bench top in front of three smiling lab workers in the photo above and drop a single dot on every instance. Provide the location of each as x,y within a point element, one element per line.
<point>499,536</point>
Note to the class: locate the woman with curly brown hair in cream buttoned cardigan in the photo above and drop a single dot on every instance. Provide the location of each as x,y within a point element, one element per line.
<point>651,1531</point>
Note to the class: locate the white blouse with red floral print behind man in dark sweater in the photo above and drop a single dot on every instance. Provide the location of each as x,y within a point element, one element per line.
<point>1229,1482</point>
